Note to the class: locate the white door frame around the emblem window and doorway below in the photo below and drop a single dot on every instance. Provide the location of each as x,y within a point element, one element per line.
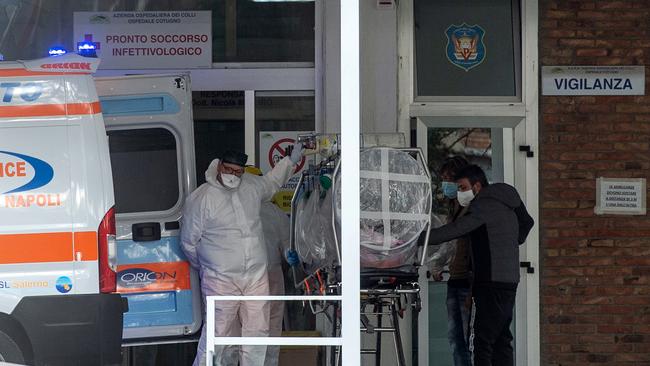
<point>523,116</point>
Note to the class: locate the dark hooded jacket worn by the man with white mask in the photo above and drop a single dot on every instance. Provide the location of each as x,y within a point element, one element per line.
<point>497,223</point>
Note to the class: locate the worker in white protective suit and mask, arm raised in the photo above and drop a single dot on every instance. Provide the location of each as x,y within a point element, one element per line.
<point>222,237</point>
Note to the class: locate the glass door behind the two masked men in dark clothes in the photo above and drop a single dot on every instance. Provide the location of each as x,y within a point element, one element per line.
<point>494,146</point>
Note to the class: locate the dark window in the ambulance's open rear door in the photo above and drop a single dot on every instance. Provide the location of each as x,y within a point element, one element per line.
<point>145,169</point>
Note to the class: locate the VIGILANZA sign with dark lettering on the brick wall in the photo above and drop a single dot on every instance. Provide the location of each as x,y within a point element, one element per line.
<point>593,80</point>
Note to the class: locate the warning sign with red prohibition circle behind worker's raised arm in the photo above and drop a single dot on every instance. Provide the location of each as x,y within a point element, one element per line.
<point>273,145</point>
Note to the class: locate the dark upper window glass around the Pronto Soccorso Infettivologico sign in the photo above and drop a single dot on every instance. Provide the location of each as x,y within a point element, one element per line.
<point>243,30</point>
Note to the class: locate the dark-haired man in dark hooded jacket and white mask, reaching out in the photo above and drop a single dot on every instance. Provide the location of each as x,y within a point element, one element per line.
<point>497,223</point>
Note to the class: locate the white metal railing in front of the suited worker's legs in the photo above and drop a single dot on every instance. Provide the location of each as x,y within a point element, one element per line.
<point>212,341</point>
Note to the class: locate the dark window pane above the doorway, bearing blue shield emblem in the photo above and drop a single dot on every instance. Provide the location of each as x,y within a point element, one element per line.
<point>467,50</point>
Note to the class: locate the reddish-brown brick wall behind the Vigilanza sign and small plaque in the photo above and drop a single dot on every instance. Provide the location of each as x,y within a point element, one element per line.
<point>595,289</point>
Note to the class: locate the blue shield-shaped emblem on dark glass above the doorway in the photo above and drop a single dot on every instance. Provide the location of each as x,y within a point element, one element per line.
<point>465,47</point>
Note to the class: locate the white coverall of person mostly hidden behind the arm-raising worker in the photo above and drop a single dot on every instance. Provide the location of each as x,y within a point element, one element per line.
<point>275,224</point>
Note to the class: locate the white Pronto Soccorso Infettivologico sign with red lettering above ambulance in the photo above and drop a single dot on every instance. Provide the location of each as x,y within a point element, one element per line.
<point>148,39</point>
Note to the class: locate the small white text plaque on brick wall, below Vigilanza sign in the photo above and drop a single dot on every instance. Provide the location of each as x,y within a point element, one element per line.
<point>620,196</point>
